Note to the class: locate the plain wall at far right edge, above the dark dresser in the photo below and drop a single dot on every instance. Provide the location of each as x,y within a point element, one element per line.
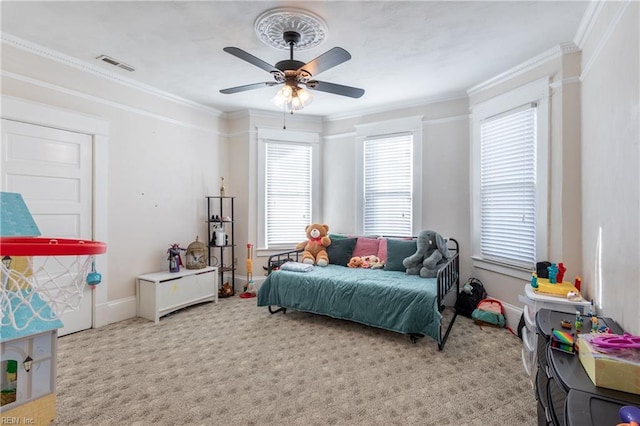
<point>610,162</point>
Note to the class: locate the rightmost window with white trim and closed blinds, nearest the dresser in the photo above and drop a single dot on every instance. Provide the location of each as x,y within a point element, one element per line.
<point>510,179</point>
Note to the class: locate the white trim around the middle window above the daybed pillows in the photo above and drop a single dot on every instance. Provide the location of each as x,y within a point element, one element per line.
<point>411,125</point>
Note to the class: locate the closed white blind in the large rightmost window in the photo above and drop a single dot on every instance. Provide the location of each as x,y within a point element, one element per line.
<point>508,187</point>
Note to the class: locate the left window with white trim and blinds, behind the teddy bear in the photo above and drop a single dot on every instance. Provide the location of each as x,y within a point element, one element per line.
<point>288,186</point>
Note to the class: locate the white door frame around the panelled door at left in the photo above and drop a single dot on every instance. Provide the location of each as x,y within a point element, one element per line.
<point>30,112</point>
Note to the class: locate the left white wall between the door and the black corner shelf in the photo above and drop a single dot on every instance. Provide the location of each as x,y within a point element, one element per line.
<point>164,156</point>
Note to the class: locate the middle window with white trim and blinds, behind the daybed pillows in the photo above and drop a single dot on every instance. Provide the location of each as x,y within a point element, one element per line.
<point>390,184</point>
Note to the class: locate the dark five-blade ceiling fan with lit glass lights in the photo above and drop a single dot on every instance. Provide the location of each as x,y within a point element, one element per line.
<point>293,74</point>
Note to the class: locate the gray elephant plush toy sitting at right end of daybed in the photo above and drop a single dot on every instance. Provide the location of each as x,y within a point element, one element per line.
<point>432,251</point>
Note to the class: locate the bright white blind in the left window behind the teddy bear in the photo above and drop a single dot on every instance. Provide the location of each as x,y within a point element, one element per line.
<point>288,192</point>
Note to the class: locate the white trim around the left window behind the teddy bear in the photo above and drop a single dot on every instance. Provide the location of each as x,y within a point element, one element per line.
<point>264,136</point>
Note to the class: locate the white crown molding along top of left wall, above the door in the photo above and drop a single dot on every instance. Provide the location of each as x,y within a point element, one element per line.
<point>59,57</point>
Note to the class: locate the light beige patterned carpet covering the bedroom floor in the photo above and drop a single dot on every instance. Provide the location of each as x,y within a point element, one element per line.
<point>232,363</point>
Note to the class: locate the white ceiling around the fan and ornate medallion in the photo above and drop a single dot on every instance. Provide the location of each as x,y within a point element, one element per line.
<point>403,52</point>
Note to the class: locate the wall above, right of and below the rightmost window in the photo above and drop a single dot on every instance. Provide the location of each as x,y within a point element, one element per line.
<point>561,67</point>
